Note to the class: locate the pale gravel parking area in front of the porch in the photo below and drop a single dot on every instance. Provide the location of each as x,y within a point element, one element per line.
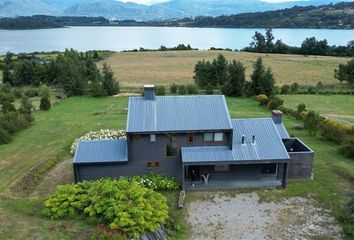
<point>244,217</point>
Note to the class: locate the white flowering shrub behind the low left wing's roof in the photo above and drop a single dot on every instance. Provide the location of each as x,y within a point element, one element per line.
<point>103,134</point>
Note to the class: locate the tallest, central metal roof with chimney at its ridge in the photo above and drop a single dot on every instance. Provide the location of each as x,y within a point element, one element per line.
<point>178,113</point>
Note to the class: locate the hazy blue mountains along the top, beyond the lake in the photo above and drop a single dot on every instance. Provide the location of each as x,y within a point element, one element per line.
<point>122,11</point>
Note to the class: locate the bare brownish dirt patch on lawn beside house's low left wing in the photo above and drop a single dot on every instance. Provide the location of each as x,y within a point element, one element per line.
<point>61,174</point>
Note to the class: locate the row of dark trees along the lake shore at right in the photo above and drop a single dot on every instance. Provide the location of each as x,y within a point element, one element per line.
<point>310,46</point>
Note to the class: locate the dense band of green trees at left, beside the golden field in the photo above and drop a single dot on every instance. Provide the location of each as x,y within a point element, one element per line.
<point>73,72</point>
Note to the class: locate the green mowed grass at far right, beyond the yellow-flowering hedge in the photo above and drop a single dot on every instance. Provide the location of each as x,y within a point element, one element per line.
<point>339,107</point>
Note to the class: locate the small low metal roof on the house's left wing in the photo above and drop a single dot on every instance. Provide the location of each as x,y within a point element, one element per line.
<point>101,151</point>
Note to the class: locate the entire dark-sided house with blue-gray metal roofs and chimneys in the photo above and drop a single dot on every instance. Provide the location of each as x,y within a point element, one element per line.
<point>193,139</point>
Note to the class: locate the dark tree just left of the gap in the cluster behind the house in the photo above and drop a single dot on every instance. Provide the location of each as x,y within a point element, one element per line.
<point>236,79</point>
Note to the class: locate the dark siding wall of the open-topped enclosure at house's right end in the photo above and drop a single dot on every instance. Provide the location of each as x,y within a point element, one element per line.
<point>300,165</point>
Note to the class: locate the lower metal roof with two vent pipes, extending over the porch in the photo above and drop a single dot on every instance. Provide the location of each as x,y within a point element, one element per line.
<point>268,144</point>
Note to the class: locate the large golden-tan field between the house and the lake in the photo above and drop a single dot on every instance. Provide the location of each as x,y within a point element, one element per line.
<point>134,69</point>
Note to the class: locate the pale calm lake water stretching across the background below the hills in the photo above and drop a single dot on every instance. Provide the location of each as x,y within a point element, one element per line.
<point>127,38</point>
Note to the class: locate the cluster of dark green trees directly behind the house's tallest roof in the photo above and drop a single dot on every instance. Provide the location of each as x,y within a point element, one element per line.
<point>230,77</point>
